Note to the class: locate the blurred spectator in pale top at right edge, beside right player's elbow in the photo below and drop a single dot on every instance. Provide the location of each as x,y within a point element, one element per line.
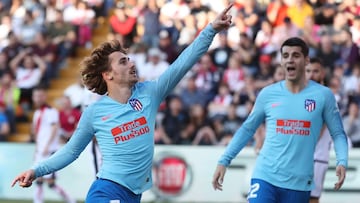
<point>352,124</point>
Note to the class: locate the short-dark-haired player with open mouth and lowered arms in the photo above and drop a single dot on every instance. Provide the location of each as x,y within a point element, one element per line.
<point>294,110</point>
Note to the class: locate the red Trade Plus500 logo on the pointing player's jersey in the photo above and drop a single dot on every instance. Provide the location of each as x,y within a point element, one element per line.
<point>130,130</point>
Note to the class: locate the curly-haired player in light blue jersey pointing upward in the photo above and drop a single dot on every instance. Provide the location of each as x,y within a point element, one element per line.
<point>123,120</point>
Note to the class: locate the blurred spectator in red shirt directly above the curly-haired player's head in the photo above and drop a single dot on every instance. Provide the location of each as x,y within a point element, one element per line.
<point>123,23</point>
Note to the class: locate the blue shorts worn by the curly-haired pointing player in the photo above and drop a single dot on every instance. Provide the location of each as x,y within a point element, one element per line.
<point>107,191</point>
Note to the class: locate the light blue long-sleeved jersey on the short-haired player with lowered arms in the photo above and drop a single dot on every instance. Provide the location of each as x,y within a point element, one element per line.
<point>293,124</point>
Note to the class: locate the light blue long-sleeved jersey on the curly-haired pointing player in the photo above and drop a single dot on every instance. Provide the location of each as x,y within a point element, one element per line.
<point>125,132</point>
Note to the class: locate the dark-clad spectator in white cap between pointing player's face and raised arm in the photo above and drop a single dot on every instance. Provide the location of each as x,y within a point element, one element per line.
<point>167,46</point>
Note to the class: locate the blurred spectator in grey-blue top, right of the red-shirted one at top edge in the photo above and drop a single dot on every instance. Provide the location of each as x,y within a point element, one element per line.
<point>151,24</point>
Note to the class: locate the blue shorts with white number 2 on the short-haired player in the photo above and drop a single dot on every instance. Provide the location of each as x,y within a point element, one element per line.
<point>264,192</point>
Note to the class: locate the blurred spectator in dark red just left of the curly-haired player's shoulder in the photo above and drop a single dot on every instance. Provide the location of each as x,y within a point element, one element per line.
<point>68,118</point>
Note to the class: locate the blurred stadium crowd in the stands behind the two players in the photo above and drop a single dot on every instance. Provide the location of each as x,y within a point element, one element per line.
<point>211,102</point>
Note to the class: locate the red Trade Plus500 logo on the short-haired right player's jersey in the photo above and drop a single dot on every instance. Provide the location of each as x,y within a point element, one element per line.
<point>293,127</point>
